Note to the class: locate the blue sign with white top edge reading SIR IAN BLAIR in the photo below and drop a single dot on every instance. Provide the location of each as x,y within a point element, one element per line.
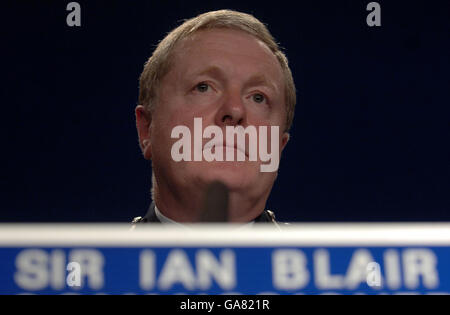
<point>217,259</point>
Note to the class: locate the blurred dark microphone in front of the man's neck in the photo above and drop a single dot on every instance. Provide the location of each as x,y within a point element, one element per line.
<point>215,205</point>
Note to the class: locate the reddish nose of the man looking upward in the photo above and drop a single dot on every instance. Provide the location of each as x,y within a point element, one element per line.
<point>232,111</point>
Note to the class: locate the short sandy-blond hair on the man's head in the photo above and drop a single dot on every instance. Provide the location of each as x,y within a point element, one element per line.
<point>159,63</point>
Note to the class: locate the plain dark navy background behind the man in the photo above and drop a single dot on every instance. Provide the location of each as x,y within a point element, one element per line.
<point>370,140</point>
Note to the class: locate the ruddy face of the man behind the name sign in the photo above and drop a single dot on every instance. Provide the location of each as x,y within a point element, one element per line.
<point>227,78</point>
